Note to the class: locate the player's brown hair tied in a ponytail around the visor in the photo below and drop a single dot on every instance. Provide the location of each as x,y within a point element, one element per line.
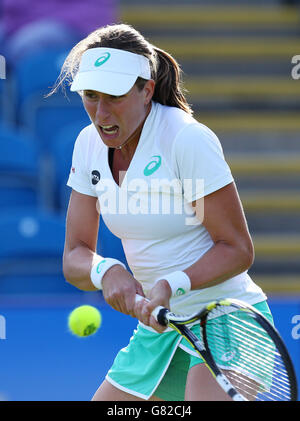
<point>165,71</point>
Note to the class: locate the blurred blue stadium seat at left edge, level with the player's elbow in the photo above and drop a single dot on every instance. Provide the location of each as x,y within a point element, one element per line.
<point>31,255</point>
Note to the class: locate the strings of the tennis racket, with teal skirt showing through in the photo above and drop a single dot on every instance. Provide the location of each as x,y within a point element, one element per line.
<point>247,355</point>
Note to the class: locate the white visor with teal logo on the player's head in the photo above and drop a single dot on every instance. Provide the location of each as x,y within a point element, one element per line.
<point>110,71</point>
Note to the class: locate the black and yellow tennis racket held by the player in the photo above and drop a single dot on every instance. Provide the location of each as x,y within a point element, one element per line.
<point>240,347</point>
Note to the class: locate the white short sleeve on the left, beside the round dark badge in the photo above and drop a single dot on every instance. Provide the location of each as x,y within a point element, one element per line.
<point>79,178</point>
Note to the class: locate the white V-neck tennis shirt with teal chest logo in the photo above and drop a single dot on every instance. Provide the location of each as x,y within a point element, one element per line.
<point>177,161</point>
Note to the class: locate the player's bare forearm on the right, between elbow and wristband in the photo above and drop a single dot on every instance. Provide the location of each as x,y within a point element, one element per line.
<point>221,262</point>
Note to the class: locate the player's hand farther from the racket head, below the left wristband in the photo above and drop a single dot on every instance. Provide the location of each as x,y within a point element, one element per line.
<point>119,289</point>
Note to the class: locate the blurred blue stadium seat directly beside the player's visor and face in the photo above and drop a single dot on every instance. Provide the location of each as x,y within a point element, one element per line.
<point>33,77</point>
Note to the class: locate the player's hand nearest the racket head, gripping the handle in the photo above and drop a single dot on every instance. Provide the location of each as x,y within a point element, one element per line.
<point>159,295</point>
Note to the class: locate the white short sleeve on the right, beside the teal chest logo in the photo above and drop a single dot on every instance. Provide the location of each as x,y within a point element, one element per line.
<point>200,162</point>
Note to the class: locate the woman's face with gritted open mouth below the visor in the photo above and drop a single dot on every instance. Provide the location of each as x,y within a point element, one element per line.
<point>117,118</point>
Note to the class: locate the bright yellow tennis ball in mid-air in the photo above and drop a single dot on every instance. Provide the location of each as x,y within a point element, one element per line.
<point>84,320</point>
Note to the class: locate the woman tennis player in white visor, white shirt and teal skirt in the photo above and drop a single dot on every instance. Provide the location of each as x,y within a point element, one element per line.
<point>162,186</point>
